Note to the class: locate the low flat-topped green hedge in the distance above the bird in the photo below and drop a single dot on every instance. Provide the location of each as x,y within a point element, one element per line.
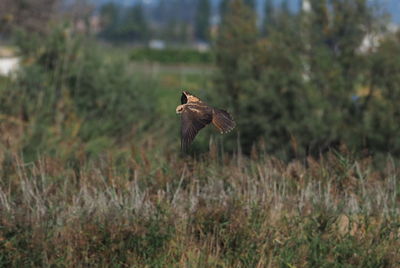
<point>172,56</point>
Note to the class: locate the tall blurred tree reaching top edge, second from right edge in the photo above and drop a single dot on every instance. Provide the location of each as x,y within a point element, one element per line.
<point>336,69</point>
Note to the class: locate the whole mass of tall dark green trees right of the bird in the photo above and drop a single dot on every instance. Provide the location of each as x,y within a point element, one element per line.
<point>302,87</point>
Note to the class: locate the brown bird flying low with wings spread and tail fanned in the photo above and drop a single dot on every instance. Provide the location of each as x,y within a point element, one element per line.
<point>196,114</point>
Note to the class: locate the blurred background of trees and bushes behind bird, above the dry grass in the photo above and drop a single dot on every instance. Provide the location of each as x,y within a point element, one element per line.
<point>79,78</point>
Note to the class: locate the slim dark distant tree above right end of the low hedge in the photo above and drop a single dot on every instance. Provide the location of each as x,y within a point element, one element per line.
<point>203,20</point>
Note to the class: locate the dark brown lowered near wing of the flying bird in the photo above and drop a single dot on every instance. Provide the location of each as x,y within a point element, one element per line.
<point>191,122</point>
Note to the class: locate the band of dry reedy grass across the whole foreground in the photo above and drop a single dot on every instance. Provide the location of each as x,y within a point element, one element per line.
<point>216,211</point>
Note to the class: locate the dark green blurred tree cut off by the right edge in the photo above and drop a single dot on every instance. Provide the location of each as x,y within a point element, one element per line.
<point>381,112</point>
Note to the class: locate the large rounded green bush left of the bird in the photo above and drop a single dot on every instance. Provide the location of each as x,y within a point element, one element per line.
<point>69,93</point>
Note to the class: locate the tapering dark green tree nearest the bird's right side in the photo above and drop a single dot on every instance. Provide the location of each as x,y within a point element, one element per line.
<point>276,107</point>
